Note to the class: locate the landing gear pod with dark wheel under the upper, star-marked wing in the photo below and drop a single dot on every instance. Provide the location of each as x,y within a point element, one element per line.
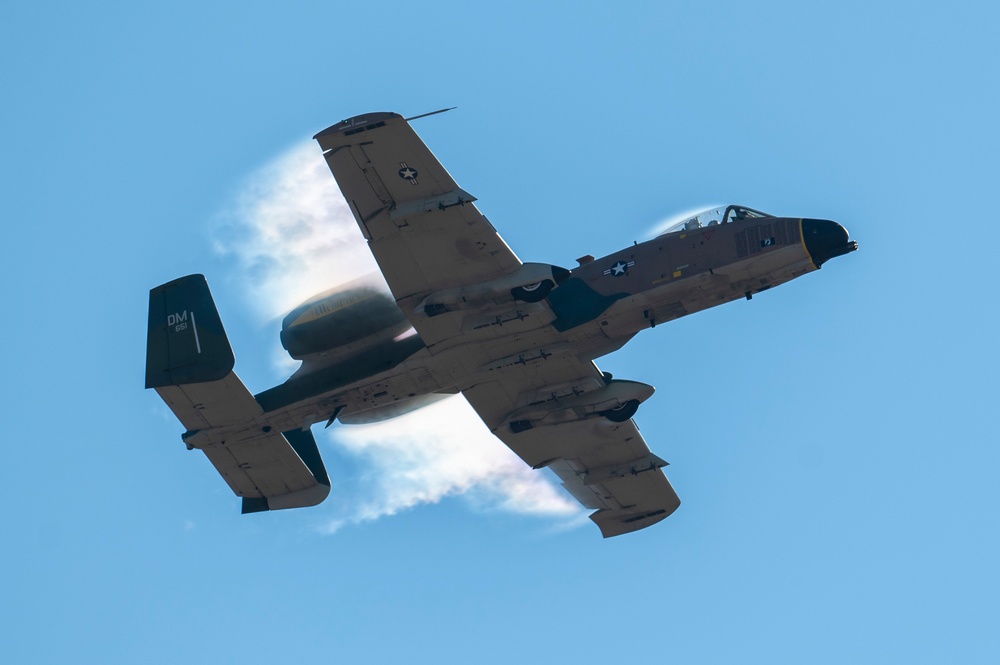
<point>529,283</point>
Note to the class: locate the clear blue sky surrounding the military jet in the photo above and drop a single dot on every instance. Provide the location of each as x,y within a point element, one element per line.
<point>833,441</point>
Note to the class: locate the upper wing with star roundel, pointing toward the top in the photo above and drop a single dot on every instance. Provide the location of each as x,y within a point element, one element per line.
<point>423,230</point>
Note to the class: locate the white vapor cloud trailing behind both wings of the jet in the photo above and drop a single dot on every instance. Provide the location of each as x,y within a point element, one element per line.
<point>293,235</point>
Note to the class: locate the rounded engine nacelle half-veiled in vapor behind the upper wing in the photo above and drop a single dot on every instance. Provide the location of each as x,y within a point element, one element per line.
<point>357,314</point>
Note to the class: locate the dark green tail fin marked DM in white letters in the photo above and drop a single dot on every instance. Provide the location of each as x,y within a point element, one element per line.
<point>186,342</point>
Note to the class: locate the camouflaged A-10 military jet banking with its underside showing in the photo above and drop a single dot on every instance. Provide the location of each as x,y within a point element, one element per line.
<point>465,315</point>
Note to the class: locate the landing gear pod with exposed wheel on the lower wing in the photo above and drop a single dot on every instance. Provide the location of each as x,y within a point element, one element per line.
<point>617,401</point>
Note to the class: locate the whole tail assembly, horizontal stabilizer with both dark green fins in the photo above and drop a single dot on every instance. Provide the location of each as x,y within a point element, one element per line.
<point>190,364</point>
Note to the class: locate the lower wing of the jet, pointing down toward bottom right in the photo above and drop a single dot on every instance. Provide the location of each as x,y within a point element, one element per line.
<point>540,413</point>
